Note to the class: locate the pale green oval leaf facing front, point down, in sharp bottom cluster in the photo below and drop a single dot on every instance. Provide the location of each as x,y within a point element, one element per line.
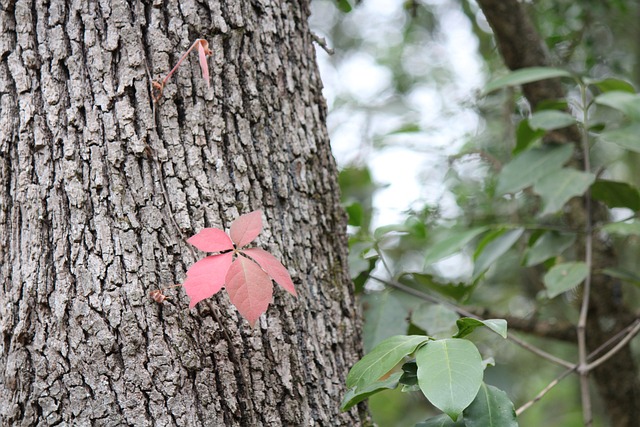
<point>449,374</point>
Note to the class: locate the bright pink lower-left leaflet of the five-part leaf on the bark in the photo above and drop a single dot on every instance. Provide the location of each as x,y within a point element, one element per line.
<point>206,277</point>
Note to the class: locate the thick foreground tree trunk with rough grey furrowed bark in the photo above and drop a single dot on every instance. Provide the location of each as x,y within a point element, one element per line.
<point>87,230</point>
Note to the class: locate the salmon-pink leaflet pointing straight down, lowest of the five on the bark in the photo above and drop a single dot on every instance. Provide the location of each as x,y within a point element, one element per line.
<point>249,288</point>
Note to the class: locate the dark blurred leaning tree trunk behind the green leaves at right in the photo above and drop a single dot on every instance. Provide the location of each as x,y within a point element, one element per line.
<point>618,380</point>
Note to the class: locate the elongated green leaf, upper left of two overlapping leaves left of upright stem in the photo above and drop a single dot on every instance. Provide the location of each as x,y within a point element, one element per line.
<point>531,165</point>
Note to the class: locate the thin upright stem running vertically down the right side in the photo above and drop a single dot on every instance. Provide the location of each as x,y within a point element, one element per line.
<point>585,394</point>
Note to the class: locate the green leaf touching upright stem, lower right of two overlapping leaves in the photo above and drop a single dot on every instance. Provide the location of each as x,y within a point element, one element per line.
<point>559,187</point>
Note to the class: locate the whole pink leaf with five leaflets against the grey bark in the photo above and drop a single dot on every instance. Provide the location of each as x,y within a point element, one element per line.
<point>247,278</point>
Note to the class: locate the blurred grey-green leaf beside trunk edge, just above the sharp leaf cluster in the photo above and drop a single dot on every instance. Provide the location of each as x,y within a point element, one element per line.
<point>385,316</point>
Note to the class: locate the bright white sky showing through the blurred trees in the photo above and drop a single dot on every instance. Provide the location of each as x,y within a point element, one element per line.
<point>411,176</point>
